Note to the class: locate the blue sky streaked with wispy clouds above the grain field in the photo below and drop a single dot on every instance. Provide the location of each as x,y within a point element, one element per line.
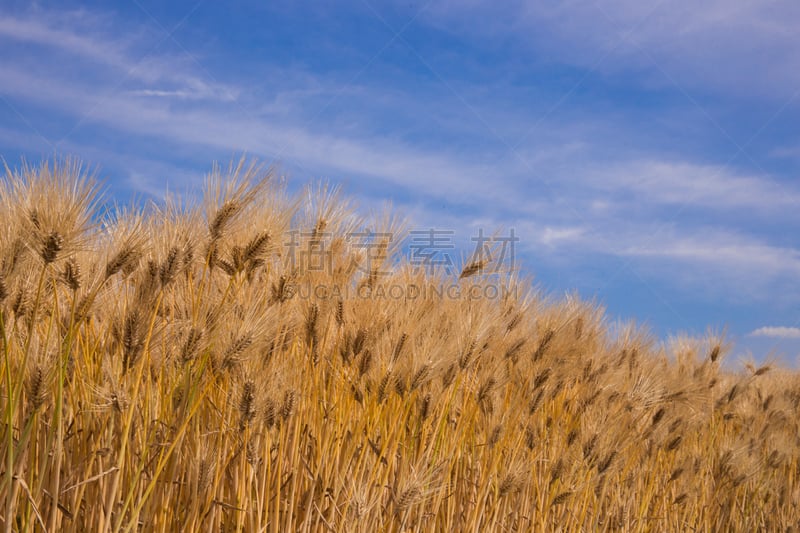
<point>645,153</point>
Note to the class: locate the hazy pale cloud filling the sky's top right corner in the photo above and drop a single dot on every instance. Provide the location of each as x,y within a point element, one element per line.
<point>742,47</point>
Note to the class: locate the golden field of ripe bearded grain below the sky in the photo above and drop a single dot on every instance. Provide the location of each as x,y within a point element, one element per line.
<point>177,367</point>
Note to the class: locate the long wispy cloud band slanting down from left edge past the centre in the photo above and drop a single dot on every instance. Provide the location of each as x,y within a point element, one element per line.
<point>231,128</point>
